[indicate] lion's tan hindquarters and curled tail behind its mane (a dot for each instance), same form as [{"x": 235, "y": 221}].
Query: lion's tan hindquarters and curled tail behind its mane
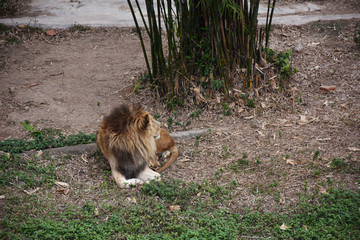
[{"x": 163, "y": 144}]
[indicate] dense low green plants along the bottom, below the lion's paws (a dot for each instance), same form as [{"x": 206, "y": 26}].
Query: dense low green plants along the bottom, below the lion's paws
[{"x": 335, "y": 216}]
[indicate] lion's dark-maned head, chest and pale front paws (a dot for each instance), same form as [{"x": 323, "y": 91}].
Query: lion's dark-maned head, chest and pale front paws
[{"x": 127, "y": 138}]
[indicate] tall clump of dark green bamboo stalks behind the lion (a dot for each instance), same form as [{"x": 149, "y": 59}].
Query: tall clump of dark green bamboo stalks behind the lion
[{"x": 206, "y": 40}]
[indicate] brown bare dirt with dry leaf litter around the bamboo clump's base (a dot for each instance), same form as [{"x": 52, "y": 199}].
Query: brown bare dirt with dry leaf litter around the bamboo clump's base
[{"x": 69, "y": 81}]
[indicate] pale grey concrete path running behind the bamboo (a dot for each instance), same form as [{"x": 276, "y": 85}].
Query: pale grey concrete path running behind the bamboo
[{"x": 99, "y": 13}]
